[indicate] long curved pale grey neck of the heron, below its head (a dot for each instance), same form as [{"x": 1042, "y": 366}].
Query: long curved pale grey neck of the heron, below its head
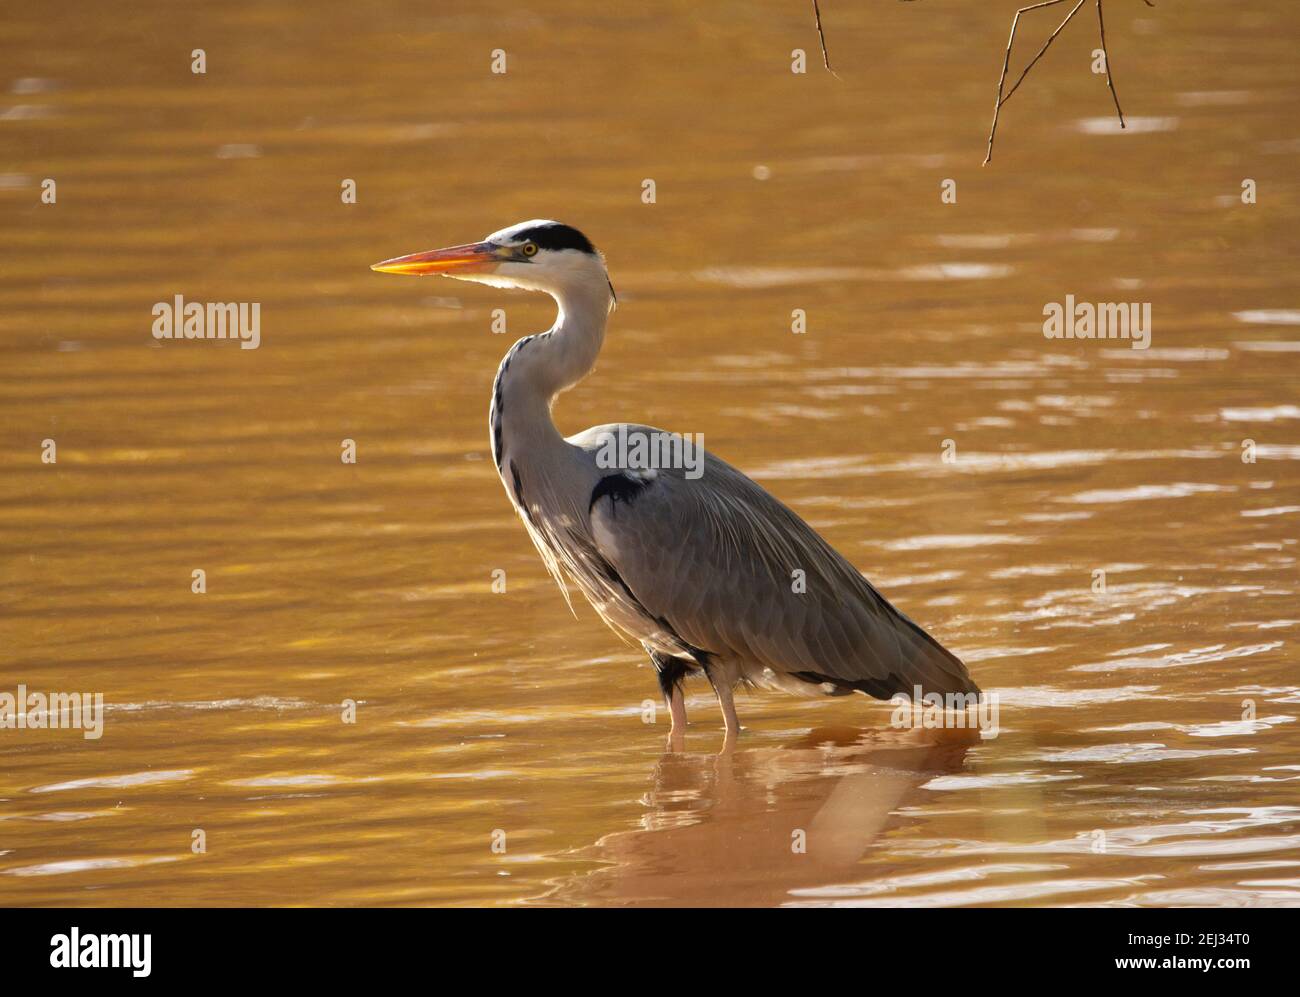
[{"x": 539, "y": 369}]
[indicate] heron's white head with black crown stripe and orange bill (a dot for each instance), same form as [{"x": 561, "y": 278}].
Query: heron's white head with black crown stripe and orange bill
[{"x": 536, "y": 255}]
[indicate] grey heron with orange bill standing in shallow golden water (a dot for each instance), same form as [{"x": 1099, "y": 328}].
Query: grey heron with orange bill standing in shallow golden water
[{"x": 696, "y": 569}]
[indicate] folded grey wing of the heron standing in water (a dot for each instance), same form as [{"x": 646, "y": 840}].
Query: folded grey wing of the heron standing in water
[{"x": 716, "y": 560}]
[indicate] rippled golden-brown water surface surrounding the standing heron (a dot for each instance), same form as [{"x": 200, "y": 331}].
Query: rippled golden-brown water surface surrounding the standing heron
[{"x": 1107, "y": 552}]
